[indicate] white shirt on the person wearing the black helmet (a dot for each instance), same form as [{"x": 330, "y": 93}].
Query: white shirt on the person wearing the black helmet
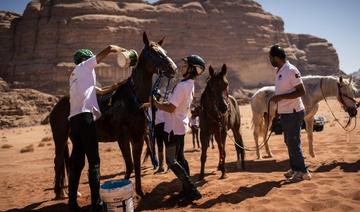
[{"x": 181, "y": 98}]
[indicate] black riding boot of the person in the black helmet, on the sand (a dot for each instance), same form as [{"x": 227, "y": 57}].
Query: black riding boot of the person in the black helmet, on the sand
[{"x": 190, "y": 191}]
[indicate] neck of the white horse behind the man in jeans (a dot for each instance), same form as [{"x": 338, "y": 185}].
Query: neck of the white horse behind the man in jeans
[{"x": 327, "y": 88}]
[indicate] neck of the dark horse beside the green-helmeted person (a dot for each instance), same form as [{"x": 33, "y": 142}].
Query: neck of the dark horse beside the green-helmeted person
[{"x": 142, "y": 82}]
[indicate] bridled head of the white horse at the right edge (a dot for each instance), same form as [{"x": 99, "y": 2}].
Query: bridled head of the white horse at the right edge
[{"x": 346, "y": 90}]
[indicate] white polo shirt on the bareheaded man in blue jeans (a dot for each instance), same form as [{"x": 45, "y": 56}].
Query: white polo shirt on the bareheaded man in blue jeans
[{"x": 287, "y": 78}]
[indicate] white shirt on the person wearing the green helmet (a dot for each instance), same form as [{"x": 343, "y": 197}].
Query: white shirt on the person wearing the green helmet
[{"x": 82, "y": 89}]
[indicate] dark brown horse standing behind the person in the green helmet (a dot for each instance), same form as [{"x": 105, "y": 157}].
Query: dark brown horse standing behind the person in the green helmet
[{"x": 122, "y": 119}]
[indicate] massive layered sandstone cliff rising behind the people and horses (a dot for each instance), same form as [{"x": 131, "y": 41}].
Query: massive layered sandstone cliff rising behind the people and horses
[{"x": 38, "y": 46}]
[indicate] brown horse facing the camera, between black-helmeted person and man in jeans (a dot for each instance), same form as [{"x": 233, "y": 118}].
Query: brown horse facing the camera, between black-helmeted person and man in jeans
[{"x": 219, "y": 113}]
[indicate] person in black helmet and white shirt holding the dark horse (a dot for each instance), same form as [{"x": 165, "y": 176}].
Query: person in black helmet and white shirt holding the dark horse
[{"x": 176, "y": 121}]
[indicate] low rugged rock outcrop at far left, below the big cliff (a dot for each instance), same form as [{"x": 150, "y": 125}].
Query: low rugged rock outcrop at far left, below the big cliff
[{"x": 23, "y": 107}]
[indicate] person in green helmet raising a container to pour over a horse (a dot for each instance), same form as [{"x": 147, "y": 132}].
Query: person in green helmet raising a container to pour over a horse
[{"x": 84, "y": 110}]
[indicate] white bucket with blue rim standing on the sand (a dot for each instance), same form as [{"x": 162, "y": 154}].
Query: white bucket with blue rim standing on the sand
[{"x": 117, "y": 195}]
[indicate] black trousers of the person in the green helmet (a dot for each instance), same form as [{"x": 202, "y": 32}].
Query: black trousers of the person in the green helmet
[{"x": 83, "y": 136}]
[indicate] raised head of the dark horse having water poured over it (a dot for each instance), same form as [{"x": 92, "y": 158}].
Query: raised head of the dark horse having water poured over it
[{"x": 155, "y": 58}]
